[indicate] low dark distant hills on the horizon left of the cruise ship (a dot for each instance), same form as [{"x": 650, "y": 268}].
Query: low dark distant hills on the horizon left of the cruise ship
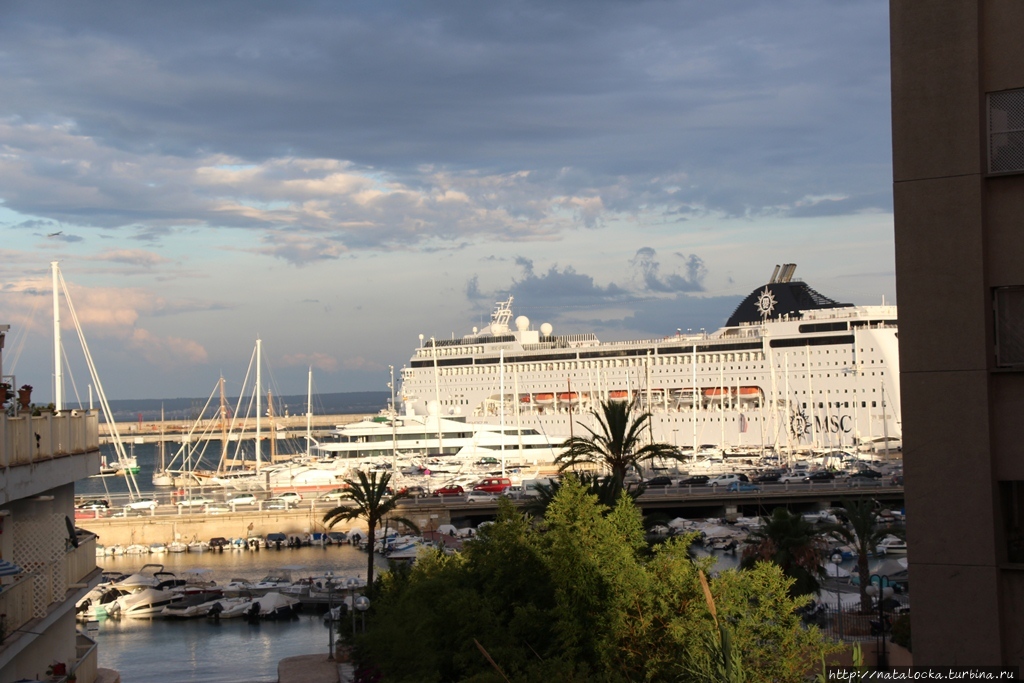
[{"x": 189, "y": 409}]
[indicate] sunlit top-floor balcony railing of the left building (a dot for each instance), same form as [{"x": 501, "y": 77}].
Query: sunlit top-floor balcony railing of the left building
[{"x": 27, "y": 440}]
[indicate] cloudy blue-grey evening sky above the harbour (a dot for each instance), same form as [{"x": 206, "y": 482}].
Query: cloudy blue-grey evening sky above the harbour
[{"x": 338, "y": 179}]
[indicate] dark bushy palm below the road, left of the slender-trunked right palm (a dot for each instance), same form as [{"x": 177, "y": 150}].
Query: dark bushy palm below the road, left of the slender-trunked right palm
[{"x": 794, "y": 544}]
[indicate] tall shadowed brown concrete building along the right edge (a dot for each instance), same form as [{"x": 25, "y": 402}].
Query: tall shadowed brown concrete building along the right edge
[{"x": 958, "y": 88}]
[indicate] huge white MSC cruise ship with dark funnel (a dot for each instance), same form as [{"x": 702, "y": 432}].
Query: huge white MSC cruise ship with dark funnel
[{"x": 792, "y": 371}]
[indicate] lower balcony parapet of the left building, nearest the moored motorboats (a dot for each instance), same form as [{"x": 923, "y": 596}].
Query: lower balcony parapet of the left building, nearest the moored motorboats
[{"x": 34, "y": 593}]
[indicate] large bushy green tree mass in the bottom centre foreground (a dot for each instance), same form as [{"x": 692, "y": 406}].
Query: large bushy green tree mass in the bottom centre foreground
[{"x": 580, "y": 597}]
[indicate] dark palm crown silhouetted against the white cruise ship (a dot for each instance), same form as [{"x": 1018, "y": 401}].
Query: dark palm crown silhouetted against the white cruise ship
[{"x": 617, "y": 445}]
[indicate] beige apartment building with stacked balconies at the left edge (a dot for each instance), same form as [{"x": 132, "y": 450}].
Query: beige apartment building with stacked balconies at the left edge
[{"x": 40, "y": 460}]
